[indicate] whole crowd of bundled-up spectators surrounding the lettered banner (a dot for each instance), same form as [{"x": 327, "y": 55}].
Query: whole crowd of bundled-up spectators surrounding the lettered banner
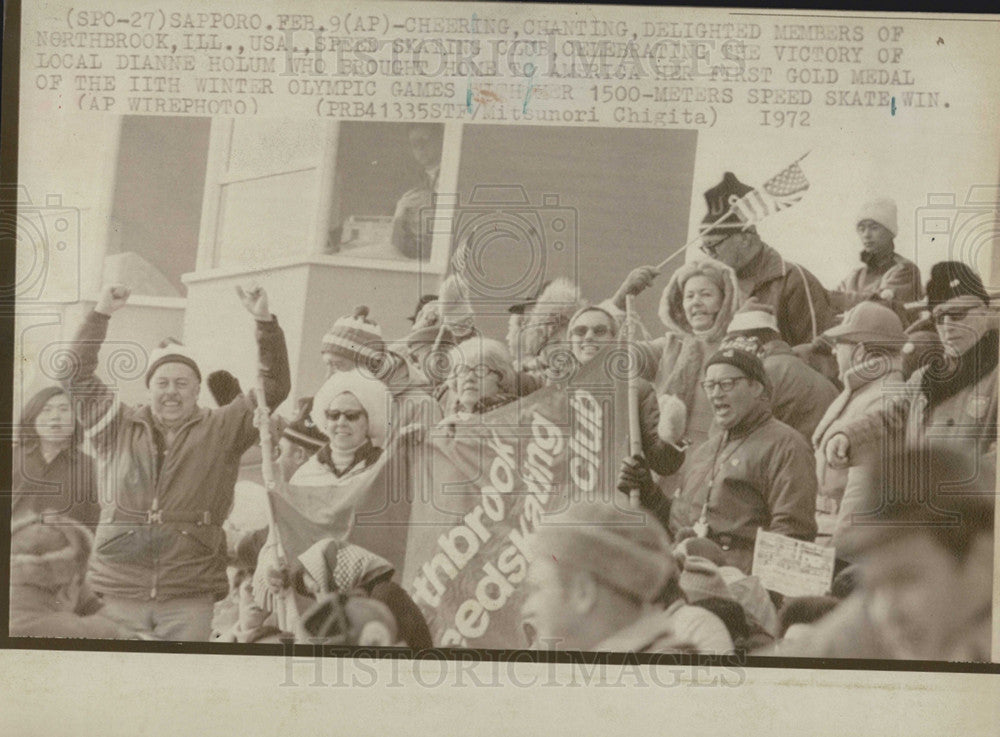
[{"x": 861, "y": 418}]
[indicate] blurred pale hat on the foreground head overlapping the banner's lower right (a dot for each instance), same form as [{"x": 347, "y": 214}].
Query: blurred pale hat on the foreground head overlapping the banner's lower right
[{"x": 632, "y": 556}]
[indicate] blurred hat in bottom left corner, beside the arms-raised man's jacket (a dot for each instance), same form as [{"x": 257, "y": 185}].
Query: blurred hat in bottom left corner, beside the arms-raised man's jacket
[{"x": 48, "y": 553}]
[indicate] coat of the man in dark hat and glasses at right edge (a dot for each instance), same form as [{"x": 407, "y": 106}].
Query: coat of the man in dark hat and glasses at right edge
[{"x": 958, "y": 411}]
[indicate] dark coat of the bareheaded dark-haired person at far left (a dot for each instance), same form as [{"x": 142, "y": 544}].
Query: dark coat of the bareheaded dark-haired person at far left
[{"x": 67, "y": 484}]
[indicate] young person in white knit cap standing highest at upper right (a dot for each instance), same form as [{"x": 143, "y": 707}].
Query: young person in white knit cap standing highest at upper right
[{"x": 883, "y": 272}]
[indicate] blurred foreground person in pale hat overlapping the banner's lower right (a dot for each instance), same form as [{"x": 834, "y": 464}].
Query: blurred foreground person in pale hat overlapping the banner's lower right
[{"x": 599, "y": 581}]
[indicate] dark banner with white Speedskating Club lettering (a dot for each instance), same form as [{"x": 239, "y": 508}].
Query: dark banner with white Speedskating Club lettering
[{"x": 482, "y": 487}]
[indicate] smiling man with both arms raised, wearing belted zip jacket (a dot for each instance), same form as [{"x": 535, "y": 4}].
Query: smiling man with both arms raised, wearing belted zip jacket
[{"x": 167, "y": 474}]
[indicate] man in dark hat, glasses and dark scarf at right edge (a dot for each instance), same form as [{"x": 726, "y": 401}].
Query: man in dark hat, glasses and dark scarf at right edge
[{"x": 952, "y": 405}]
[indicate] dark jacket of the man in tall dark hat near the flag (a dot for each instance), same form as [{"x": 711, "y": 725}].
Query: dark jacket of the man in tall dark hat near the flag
[{"x": 801, "y": 304}]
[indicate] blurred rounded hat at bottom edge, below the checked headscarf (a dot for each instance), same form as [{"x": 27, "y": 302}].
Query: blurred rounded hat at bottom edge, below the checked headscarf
[{"x": 338, "y": 619}]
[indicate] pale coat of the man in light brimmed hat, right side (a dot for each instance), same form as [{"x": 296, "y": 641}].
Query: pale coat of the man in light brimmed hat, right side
[{"x": 863, "y": 396}]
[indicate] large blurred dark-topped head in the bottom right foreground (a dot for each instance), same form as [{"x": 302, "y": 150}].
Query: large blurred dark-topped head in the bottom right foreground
[{"x": 924, "y": 541}]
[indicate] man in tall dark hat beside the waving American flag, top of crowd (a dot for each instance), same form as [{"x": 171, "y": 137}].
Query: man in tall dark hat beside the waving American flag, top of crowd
[{"x": 800, "y": 302}]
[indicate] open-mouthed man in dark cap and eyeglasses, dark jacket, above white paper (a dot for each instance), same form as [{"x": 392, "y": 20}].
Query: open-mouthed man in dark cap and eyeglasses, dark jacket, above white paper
[{"x": 752, "y": 472}]
